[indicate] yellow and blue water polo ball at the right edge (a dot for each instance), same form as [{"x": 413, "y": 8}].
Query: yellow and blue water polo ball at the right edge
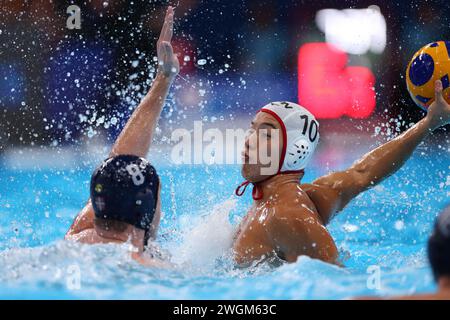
[{"x": 430, "y": 63}]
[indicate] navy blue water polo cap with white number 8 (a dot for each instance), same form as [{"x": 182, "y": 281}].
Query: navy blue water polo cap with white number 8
[{"x": 125, "y": 188}]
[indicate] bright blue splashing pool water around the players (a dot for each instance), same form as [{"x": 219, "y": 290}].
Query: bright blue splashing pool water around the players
[{"x": 382, "y": 232}]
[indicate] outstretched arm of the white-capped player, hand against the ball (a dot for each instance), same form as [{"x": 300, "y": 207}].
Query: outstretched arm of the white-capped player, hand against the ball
[{"x": 334, "y": 191}]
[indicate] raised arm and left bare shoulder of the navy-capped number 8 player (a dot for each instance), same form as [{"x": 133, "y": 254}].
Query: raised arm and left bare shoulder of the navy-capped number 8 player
[{"x": 137, "y": 134}]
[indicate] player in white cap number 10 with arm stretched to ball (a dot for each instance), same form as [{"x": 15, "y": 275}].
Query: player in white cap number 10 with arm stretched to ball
[{"x": 288, "y": 219}]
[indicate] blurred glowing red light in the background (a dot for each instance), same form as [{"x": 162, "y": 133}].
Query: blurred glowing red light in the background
[{"x": 329, "y": 88}]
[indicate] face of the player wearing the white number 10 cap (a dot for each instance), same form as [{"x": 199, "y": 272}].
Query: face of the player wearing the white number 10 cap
[{"x": 262, "y": 150}]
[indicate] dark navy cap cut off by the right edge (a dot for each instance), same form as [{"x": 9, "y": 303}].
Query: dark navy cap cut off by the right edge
[{"x": 439, "y": 245}]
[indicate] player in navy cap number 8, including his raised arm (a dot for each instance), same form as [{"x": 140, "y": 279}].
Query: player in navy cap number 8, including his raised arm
[{"x": 125, "y": 205}]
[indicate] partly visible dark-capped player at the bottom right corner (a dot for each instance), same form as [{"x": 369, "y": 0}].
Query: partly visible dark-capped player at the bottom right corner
[{"x": 439, "y": 258}]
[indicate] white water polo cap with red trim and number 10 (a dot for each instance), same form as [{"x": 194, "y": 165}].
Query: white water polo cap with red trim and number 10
[{"x": 300, "y": 132}]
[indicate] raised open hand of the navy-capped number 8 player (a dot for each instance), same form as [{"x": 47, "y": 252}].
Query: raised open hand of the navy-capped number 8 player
[{"x": 168, "y": 64}]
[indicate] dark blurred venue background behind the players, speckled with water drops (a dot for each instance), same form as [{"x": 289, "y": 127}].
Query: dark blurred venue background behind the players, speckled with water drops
[{"x": 63, "y": 87}]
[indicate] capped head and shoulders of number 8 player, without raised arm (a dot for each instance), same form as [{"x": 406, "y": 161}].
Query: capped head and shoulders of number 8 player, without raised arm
[{"x": 125, "y": 201}]
